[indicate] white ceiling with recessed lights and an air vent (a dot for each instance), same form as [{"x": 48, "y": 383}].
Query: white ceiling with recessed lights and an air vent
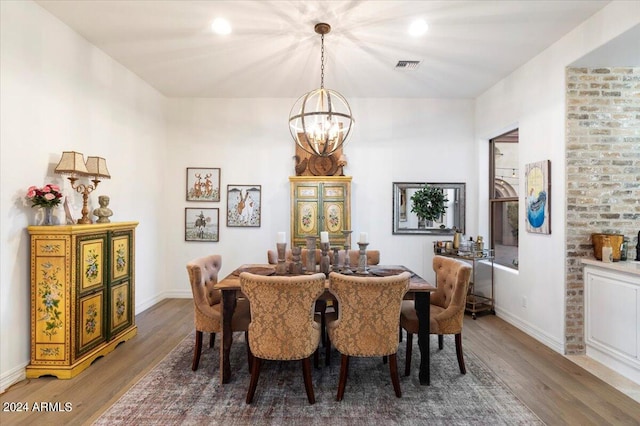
[{"x": 273, "y": 50}]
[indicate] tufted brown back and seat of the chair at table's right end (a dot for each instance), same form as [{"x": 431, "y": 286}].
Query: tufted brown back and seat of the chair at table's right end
[{"x": 452, "y": 283}]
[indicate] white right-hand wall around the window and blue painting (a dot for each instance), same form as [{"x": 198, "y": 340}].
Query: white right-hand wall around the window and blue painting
[{"x": 533, "y": 99}]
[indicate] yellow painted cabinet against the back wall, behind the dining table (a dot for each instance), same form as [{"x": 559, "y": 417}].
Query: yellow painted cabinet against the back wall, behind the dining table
[{"x": 320, "y": 204}]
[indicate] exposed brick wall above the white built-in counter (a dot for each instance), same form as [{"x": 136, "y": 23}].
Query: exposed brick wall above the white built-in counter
[{"x": 603, "y": 174}]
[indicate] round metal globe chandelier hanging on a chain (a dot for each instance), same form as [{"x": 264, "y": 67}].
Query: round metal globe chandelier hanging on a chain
[{"x": 320, "y": 121}]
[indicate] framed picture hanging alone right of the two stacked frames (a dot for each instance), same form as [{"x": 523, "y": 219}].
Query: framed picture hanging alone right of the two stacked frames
[{"x": 243, "y": 205}]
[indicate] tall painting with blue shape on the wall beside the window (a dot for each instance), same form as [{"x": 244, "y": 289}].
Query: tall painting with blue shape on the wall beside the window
[{"x": 538, "y": 200}]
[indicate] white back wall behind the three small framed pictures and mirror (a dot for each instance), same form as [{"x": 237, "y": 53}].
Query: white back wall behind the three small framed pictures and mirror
[{"x": 396, "y": 140}]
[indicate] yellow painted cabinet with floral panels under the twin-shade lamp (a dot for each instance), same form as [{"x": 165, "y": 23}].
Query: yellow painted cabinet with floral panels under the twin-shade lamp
[{"x": 82, "y": 295}]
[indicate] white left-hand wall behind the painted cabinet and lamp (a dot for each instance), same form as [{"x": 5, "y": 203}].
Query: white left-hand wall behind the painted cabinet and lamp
[{"x": 61, "y": 93}]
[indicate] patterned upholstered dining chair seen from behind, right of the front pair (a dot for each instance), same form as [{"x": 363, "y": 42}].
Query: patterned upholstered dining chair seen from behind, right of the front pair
[{"x": 368, "y": 318}]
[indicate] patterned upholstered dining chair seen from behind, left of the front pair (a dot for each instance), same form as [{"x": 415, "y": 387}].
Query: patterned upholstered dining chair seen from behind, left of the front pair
[{"x": 282, "y": 322}]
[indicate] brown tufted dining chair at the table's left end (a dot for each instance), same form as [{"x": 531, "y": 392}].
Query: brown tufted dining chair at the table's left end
[{"x": 207, "y": 307}]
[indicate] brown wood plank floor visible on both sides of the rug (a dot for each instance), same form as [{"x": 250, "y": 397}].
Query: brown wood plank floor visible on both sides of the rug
[{"x": 556, "y": 389}]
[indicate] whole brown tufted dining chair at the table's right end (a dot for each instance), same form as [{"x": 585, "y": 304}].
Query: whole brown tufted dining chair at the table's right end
[{"x": 447, "y": 307}]
